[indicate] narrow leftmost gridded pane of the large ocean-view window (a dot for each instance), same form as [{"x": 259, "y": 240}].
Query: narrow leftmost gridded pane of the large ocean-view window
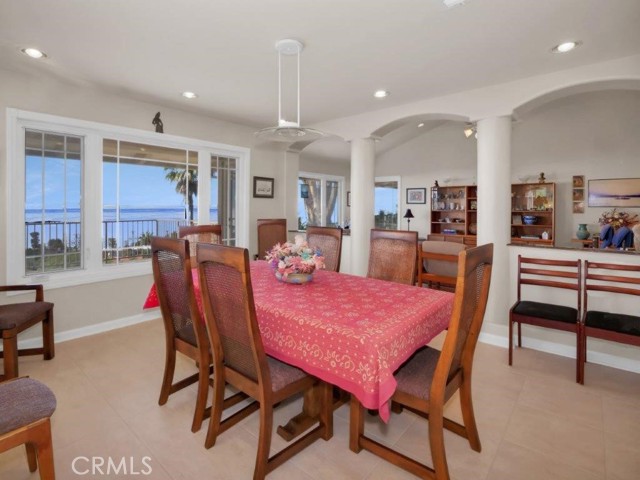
[{"x": 53, "y": 213}]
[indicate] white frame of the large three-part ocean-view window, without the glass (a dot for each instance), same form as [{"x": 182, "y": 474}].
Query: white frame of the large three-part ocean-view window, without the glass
[{"x": 93, "y": 134}]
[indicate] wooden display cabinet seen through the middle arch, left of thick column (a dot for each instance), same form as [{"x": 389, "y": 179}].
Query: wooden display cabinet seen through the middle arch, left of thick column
[{"x": 454, "y": 213}]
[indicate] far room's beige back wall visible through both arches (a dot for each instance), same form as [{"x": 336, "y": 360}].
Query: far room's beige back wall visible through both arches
[{"x": 591, "y": 134}]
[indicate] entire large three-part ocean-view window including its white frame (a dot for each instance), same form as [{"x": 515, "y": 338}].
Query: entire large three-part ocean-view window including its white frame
[{"x": 86, "y": 198}]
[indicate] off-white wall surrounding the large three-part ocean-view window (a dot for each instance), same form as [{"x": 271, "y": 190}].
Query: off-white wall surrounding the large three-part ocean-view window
[{"x": 100, "y": 302}]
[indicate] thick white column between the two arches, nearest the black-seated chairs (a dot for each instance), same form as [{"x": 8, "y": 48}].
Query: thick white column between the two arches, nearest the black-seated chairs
[{"x": 494, "y": 208}]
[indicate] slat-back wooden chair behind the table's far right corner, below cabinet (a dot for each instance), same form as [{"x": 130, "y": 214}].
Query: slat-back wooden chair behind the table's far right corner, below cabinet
[{"x": 438, "y": 264}]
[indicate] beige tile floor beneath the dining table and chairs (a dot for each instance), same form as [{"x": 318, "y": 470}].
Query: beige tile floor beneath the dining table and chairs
[{"x": 535, "y": 422}]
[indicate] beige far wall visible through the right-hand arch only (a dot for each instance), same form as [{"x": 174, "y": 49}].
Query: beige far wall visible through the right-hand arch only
[{"x": 592, "y": 134}]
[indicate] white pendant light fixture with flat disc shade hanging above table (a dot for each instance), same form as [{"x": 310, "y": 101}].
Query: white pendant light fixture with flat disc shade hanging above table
[{"x": 289, "y": 131}]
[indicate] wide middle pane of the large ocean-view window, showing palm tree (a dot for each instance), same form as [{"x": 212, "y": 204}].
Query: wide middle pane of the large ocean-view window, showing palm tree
[{"x": 147, "y": 191}]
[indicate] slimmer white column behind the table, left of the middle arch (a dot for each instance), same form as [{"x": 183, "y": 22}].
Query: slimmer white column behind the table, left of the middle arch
[{"x": 363, "y": 155}]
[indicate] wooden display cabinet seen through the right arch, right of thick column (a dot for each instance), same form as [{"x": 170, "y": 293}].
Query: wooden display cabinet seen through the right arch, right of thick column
[{"x": 533, "y": 201}]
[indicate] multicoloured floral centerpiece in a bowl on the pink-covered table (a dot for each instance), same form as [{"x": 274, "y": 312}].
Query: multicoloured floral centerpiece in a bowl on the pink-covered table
[{"x": 295, "y": 262}]
